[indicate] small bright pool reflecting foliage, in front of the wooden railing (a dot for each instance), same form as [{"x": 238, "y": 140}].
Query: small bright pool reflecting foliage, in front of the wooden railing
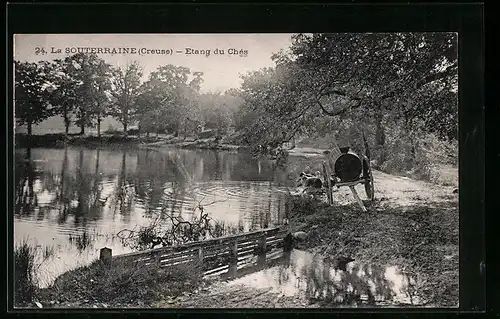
[{"x": 314, "y": 279}]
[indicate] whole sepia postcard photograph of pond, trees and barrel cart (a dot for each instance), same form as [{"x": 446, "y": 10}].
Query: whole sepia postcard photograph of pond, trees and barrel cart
[{"x": 236, "y": 170}]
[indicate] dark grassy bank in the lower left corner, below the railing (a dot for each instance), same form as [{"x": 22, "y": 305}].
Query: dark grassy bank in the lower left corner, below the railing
[{"x": 99, "y": 285}]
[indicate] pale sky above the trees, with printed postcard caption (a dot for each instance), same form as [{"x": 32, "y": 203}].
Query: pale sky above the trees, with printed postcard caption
[{"x": 221, "y": 72}]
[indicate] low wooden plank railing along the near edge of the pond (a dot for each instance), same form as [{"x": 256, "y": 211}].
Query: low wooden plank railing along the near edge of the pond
[{"x": 229, "y": 251}]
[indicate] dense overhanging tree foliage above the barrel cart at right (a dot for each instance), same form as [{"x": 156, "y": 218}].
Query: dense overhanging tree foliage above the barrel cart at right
[{"x": 399, "y": 89}]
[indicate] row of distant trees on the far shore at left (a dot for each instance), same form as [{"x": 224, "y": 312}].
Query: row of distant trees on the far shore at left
[{"x": 83, "y": 89}]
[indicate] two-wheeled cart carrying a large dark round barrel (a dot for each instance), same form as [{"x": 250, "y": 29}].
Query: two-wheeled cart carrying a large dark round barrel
[{"x": 349, "y": 169}]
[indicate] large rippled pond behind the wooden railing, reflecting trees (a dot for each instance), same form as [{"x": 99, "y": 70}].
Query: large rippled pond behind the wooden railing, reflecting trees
[{"x": 63, "y": 193}]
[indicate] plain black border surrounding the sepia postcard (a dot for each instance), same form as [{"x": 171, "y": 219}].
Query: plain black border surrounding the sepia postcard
[{"x": 467, "y": 19}]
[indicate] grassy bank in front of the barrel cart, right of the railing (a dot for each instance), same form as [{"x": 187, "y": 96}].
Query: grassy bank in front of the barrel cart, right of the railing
[{"x": 422, "y": 240}]
